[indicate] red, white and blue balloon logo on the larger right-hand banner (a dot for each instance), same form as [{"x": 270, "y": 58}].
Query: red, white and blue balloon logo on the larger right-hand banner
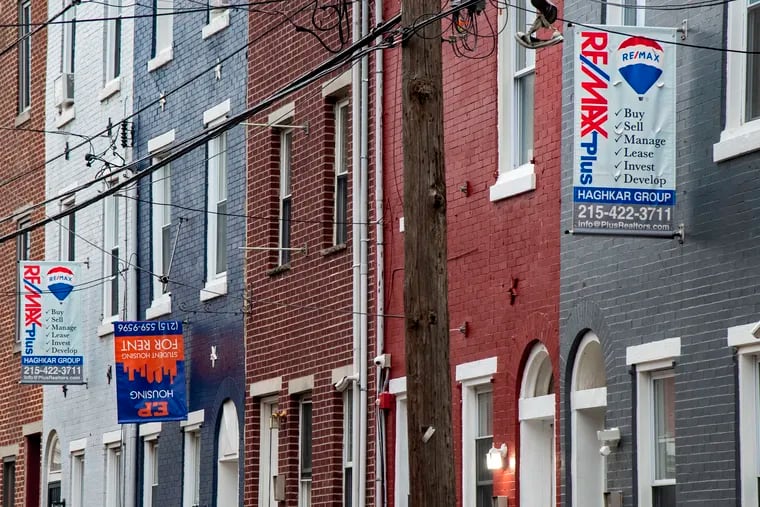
[{"x": 640, "y": 63}]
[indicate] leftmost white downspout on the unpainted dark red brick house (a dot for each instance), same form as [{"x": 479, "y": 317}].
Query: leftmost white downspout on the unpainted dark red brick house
[{"x": 358, "y": 364}]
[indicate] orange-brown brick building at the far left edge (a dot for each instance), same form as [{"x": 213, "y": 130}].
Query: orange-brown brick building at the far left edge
[{"x": 22, "y": 182}]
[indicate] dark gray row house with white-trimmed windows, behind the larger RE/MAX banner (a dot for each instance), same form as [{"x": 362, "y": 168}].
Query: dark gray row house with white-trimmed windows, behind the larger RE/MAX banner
[{"x": 657, "y": 338}]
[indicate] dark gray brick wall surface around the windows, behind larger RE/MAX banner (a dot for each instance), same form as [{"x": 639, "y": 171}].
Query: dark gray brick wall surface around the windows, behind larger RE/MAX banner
[{"x": 636, "y": 290}]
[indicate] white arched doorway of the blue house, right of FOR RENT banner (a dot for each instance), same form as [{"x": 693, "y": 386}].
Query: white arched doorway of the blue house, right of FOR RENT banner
[{"x": 228, "y": 460}]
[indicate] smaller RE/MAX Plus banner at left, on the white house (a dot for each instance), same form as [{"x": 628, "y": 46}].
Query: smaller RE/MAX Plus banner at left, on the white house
[{"x": 50, "y": 323}]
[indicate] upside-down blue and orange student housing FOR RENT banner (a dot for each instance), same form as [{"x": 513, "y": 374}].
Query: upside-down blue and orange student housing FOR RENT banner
[{"x": 150, "y": 371}]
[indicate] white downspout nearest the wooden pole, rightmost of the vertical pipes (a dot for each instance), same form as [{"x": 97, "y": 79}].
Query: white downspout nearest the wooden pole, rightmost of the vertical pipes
[{"x": 380, "y": 451}]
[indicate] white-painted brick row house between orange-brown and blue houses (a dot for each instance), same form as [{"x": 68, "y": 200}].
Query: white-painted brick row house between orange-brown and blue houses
[{"x": 87, "y": 456}]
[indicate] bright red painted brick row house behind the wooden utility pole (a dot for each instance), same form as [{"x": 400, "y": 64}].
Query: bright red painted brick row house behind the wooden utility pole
[{"x": 503, "y": 248}]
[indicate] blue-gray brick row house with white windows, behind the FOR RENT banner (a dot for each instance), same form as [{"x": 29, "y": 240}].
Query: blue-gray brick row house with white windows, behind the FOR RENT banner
[{"x": 189, "y": 76}]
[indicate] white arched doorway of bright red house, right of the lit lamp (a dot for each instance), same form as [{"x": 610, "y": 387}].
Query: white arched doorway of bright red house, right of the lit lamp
[{"x": 537, "y": 411}]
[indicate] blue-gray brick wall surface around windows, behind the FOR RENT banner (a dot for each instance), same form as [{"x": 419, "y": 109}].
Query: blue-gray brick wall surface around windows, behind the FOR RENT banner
[{"x": 219, "y": 321}]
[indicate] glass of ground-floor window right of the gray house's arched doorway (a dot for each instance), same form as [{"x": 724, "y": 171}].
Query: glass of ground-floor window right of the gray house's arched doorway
[{"x": 664, "y": 428}]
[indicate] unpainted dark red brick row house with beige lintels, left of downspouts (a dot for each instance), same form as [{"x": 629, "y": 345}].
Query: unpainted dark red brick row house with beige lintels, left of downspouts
[{"x": 309, "y": 420}]
